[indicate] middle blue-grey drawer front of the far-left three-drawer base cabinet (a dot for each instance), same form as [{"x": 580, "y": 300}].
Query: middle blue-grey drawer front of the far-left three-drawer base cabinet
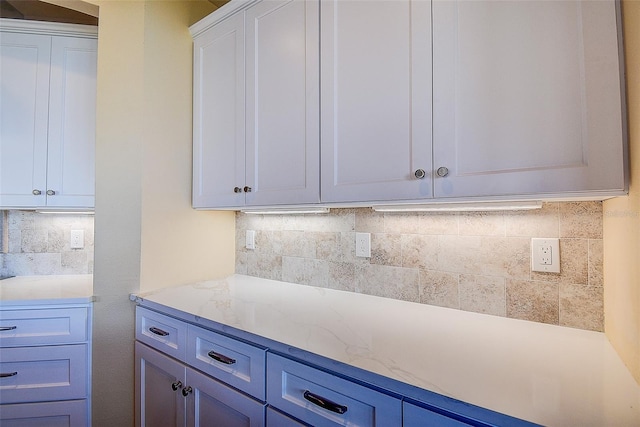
[{"x": 36, "y": 374}]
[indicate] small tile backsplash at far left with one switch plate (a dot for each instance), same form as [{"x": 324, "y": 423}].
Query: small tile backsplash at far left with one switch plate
[{"x": 38, "y": 244}]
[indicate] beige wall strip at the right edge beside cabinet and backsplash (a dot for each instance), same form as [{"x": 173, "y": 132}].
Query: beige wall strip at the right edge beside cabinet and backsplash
[{"x": 622, "y": 220}]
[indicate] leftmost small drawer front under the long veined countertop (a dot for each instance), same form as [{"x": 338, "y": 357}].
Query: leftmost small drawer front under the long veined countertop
[{"x": 161, "y": 332}]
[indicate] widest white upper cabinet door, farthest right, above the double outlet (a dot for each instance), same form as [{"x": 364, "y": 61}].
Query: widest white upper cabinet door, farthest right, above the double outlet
[{"x": 527, "y": 97}]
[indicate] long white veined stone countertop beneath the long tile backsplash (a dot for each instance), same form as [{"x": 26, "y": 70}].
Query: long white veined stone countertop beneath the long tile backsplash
[{"x": 547, "y": 374}]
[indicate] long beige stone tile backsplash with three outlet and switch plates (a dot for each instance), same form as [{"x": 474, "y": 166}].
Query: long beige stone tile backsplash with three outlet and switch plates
[{"x": 469, "y": 261}]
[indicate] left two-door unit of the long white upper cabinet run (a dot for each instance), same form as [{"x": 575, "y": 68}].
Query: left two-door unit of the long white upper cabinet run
[{"x": 258, "y": 147}]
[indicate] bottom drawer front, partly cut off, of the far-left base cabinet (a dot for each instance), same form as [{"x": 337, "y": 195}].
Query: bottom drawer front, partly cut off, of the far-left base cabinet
[{"x": 72, "y": 413}]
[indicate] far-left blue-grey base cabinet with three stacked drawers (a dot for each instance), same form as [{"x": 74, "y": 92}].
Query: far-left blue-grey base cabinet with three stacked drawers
[{"x": 45, "y": 366}]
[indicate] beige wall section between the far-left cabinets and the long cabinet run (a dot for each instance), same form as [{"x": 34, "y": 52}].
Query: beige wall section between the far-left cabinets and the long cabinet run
[{"x": 146, "y": 234}]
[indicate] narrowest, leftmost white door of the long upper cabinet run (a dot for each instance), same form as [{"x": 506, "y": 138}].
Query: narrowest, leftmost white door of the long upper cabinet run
[{"x": 218, "y": 115}]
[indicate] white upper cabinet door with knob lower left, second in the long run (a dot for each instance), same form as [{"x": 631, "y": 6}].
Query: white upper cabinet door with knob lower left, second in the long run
[{"x": 283, "y": 153}]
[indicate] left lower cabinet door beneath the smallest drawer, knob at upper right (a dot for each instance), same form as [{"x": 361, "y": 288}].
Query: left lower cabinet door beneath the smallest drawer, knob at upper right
[{"x": 156, "y": 401}]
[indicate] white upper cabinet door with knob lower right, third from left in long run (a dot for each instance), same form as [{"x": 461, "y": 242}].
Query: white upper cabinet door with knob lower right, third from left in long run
[{"x": 376, "y": 100}]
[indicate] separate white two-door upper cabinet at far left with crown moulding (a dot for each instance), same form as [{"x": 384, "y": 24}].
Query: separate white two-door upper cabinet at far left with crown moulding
[{"x": 47, "y": 113}]
